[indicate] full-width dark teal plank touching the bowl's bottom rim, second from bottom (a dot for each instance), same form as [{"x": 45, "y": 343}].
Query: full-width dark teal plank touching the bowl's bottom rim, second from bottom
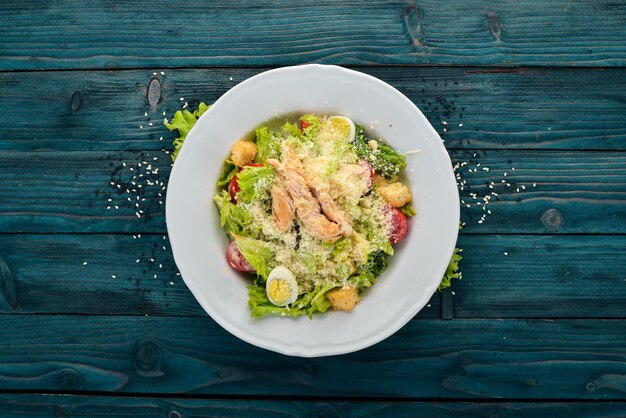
[{"x": 564, "y": 359}]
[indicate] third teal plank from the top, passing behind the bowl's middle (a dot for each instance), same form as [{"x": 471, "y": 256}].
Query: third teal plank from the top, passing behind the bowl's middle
[{"x": 70, "y": 191}]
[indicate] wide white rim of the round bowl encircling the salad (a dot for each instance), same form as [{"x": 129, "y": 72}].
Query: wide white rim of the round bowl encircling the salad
[{"x": 199, "y": 244}]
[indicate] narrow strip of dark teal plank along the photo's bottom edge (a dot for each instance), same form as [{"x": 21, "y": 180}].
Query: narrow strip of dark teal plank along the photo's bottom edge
[{"x": 35, "y": 405}]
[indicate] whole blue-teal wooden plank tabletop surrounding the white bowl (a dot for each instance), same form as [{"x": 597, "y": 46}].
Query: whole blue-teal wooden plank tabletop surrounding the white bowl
[{"x": 530, "y": 98}]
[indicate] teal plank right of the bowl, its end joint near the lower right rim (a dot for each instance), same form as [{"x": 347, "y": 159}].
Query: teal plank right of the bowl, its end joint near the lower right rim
[{"x": 541, "y": 276}]
